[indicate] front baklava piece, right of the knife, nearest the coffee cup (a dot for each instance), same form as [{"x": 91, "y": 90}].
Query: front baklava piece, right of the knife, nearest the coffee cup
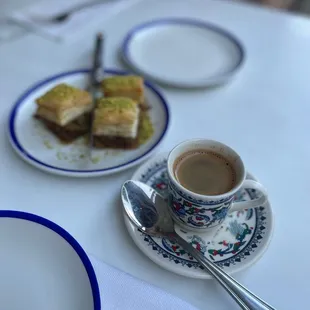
[{"x": 116, "y": 122}]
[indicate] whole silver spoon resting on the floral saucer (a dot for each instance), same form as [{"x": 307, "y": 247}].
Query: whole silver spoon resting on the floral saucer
[{"x": 148, "y": 211}]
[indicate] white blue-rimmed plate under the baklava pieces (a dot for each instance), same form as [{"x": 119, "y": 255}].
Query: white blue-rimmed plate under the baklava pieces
[{"x": 42, "y": 149}]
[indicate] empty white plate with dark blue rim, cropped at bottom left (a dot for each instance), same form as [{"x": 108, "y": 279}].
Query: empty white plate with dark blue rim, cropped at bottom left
[{"x": 43, "y": 267}]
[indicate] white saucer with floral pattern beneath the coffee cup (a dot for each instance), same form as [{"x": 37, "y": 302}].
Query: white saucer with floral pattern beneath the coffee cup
[{"x": 238, "y": 243}]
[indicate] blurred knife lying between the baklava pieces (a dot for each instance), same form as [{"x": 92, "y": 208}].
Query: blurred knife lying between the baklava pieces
[{"x": 96, "y": 76}]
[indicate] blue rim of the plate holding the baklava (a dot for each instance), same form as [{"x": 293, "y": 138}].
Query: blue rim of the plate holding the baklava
[{"x": 28, "y": 92}]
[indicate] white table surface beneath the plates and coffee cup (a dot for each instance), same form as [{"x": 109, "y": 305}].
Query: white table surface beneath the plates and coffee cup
[{"x": 263, "y": 113}]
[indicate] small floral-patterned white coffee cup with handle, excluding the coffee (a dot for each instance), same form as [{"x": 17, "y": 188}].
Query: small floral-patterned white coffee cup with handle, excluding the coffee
[{"x": 198, "y": 212}]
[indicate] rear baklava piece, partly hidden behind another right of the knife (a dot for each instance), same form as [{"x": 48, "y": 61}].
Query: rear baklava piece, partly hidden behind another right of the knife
[{"x": 130, "y": 86}]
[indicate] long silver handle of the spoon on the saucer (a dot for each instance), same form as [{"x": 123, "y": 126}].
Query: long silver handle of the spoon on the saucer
[{"x": 245, "y": 299}]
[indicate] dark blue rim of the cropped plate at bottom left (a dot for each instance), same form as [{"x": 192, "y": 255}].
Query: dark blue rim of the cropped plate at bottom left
[{"x": 74, "y": 244}]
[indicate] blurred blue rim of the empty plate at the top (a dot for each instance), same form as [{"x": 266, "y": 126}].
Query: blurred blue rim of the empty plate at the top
[{"x": 181, "y": 21}]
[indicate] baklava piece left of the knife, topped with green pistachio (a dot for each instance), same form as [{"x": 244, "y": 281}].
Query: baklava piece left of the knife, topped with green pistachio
[{"x": 65, "y": 111}]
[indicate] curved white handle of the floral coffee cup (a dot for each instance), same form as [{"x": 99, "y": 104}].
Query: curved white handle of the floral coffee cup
[{"x": 241, "y": 205}]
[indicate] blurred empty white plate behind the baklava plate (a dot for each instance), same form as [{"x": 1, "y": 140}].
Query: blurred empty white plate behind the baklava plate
[{"x": 183, "y": 52}]
